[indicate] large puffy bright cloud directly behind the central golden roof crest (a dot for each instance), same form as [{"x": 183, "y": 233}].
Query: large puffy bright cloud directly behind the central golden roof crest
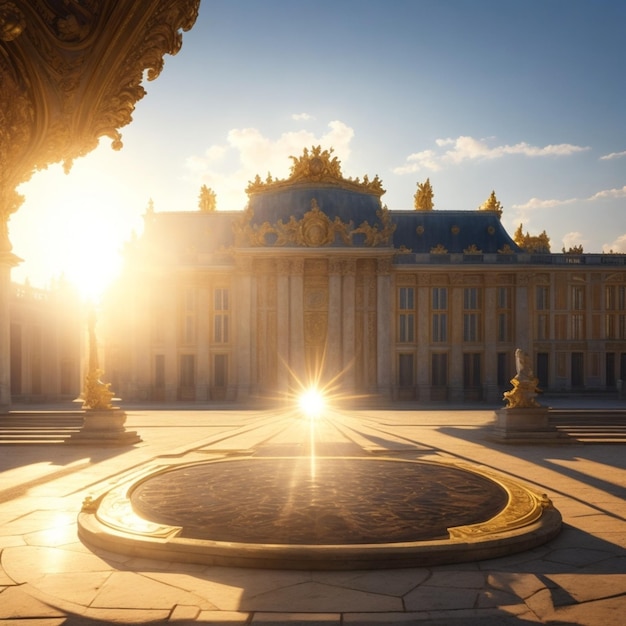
[{"x": 228, "y": 168}]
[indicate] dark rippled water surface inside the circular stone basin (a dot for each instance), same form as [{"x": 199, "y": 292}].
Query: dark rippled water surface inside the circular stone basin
[{"x": 322, "y": 501}]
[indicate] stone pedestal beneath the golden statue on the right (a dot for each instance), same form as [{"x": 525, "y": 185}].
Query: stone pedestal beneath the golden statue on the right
[{"x": 525, "y": 425}]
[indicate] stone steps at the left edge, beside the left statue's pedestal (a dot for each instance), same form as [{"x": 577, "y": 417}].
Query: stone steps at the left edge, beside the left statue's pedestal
[{"x": 46, "y": 427}]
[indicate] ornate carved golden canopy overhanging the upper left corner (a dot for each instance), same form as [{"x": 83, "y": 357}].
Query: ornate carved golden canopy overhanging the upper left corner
[{"x": 70, "y": 73}]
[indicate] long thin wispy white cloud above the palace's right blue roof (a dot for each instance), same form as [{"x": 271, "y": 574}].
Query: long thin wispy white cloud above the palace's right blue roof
[{"x": 465, "y": 148}]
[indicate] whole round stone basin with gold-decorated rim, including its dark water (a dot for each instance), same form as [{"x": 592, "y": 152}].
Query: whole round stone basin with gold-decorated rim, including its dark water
[{"x": 324, "y": 513}]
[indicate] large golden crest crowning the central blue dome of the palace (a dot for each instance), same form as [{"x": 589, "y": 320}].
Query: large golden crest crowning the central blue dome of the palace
[{"x": 316, "y": 166}]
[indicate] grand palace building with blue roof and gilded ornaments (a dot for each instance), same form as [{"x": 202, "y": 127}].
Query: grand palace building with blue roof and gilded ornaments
[{"x": 317, "y": 282}]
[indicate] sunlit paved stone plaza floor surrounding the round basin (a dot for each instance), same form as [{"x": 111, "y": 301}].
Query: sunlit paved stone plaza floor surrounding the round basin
[{"x": 49, "y": 577}]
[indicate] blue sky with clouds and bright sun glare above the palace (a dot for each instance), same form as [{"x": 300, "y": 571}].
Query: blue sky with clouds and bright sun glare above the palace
[{"x": 526, "y": 98}]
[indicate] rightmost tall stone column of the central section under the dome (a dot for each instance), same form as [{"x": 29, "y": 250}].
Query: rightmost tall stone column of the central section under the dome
[{"x": 384, "y": 305}]
